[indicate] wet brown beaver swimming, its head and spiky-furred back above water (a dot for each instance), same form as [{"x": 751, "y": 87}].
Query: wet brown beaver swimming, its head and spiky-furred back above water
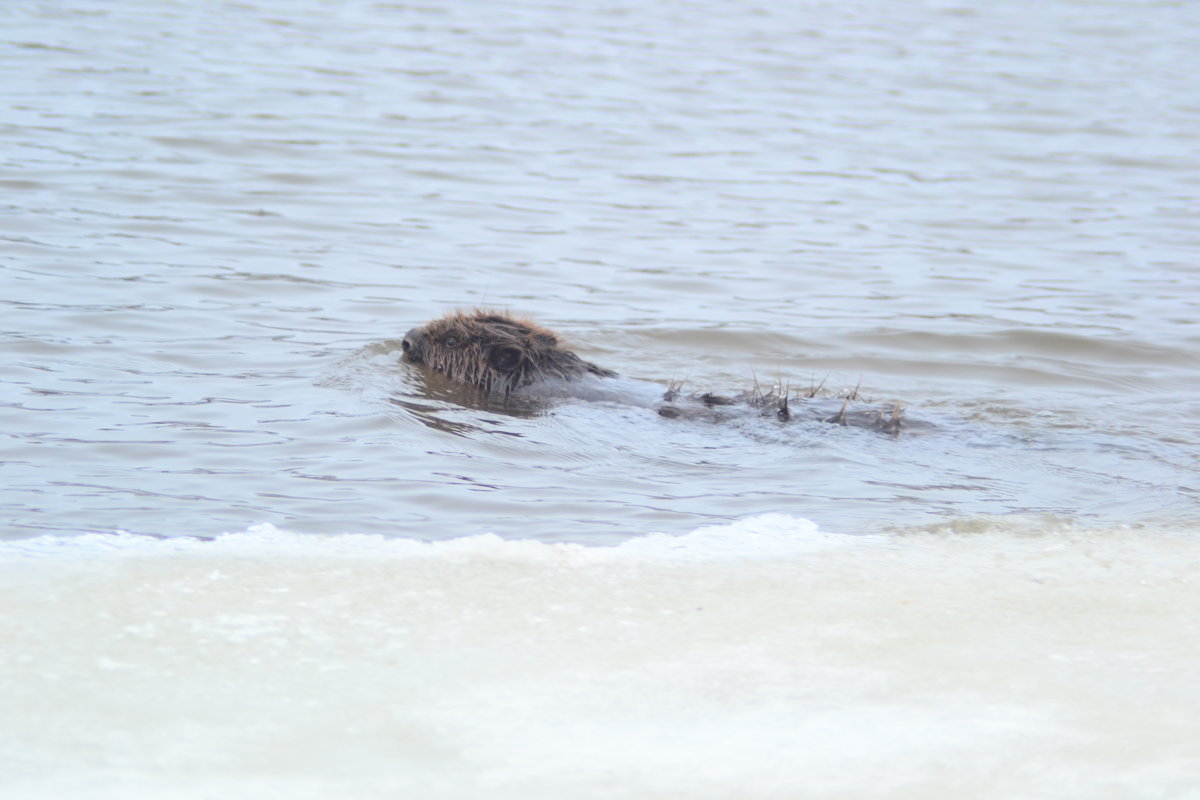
[{"x": 500, "y": 354}]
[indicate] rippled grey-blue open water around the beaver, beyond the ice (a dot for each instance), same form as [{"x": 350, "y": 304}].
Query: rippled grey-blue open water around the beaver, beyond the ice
[{"x": 220, "y": 220}]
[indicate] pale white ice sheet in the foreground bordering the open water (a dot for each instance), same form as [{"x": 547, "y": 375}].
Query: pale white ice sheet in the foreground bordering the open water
[{"x": 764, "y": 658}]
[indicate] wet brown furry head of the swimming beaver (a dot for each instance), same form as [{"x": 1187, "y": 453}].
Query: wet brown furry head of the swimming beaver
[{"x": 494, "y": 352}]
